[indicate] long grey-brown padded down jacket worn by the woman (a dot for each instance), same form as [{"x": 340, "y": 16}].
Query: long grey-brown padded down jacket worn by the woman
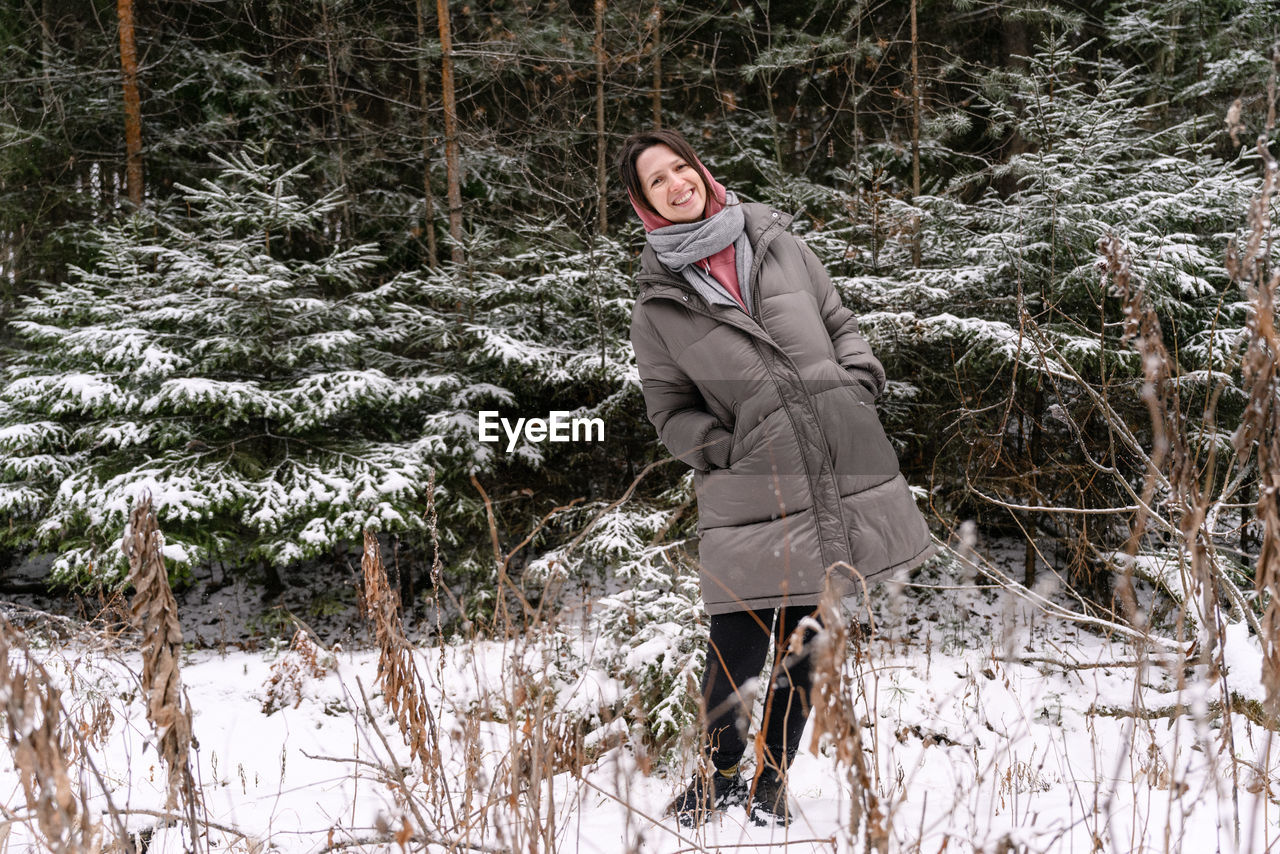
[{"x": 796, "y": 479}]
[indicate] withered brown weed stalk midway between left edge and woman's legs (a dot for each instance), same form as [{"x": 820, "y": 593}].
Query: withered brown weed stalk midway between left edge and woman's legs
[{"x": 397, "y": 673}]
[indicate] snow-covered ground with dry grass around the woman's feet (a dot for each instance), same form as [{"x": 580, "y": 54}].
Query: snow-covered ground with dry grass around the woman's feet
[{"x": 986, "y": 724}]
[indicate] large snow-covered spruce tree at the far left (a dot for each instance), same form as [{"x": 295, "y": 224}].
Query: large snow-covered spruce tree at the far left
[{"x": 223, "y": 358}]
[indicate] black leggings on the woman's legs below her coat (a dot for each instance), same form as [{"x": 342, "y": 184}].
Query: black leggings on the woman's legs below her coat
[{"x": 739, "y": 643}]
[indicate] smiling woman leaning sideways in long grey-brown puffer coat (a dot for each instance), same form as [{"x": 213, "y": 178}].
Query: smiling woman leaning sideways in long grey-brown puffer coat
[{"x": 756, "y": 376}]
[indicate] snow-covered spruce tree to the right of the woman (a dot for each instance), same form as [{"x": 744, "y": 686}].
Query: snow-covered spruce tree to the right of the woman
[{"x": 1008, "y": 336}]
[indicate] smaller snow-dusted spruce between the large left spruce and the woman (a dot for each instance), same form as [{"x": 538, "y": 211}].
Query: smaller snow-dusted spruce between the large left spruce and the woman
[{"x": 536, "y": 330}]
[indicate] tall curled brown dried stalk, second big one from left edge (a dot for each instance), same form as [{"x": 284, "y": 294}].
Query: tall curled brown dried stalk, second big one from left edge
[{"x": 156, "y": 614}]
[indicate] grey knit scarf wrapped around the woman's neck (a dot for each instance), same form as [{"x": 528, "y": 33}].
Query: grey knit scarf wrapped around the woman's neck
[{"x": 683, "y": 245}]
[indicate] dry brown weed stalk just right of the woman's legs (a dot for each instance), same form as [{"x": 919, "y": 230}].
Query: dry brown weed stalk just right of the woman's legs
[{"x": 835, "y": 723}]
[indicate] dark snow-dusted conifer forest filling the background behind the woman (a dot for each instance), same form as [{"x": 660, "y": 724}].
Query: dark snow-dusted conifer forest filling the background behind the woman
[{"x": 268, "y": 261}]
